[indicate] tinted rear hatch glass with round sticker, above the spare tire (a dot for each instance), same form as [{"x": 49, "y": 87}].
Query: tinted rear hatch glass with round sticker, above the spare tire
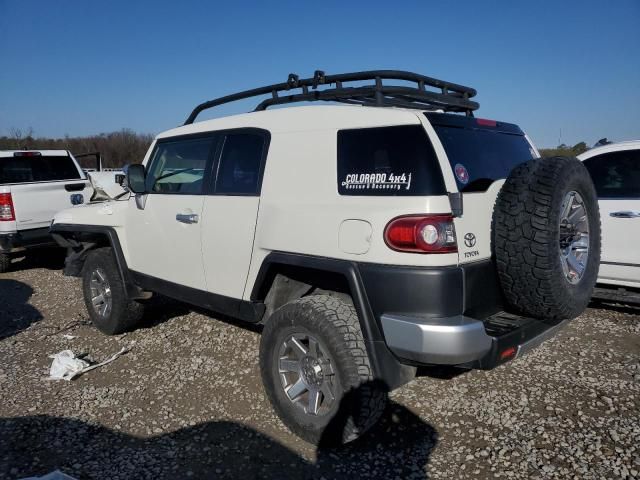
[{"x": 480, "y": 152}]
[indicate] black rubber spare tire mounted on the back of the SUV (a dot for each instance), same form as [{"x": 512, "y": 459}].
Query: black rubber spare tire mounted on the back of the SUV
[{"x": 527, "y": 237}]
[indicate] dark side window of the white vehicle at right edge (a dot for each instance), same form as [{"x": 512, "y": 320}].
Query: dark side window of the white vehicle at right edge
[{"x": 616, "y": 174}]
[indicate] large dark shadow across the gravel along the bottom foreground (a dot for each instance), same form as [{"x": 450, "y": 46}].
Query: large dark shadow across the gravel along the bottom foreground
[{"x": 398, "y": 447}]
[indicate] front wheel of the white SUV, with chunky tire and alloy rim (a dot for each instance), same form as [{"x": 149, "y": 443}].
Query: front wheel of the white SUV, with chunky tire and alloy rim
[{"x": 109, "y": 308}]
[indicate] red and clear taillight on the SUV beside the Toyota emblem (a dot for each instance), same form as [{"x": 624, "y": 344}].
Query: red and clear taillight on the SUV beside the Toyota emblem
[{"x": 422, "y": 234}]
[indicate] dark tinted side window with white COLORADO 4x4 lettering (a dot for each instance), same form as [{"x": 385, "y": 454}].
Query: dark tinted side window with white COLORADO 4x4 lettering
[{"x": 388, "y": 161}]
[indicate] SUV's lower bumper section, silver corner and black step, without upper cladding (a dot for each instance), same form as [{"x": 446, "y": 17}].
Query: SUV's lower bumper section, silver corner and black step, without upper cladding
[{"x": 465, "y": 341}]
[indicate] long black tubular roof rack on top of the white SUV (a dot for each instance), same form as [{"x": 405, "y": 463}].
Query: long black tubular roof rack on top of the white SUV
[{"x": 449, "y": 97}]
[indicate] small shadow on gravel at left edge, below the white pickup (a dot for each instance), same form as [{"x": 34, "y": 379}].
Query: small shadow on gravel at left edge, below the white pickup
[{"x": 15, "y": 312}]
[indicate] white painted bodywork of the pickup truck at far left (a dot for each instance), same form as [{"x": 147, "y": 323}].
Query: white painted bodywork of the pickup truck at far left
[{"x": 36, "y": 203}]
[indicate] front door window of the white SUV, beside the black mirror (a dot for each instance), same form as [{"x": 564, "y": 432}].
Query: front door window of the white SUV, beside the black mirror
[{"x": 179, "y": 166}]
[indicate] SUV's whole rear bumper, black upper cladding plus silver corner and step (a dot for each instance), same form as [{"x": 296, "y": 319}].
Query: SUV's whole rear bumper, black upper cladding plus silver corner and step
[{"x": 448, "y": 315}]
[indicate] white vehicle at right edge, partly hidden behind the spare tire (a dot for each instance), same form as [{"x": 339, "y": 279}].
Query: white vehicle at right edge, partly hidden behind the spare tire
[{"x": 615, "y": 170}]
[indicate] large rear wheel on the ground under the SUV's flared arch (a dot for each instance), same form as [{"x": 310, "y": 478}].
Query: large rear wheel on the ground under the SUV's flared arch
[{"x": 317, "y": 373}]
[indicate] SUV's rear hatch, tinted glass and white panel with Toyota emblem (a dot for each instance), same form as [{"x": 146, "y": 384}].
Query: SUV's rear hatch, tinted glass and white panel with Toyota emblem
[{"x": 481, "y": 153}]
